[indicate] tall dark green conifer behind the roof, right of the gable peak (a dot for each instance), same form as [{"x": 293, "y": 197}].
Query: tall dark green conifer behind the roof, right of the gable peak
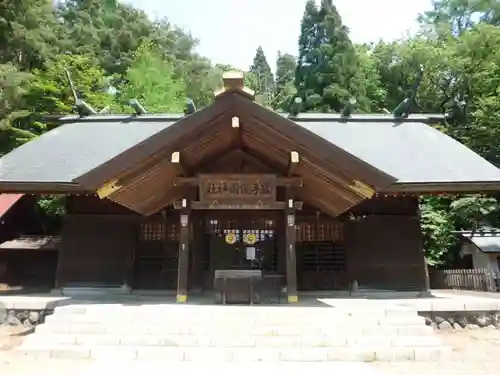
[{"x": 329, "y": 71}]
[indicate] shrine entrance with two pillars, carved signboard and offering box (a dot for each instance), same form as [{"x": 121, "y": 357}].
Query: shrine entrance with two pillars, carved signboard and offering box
[{"x": 245, "y": 233}]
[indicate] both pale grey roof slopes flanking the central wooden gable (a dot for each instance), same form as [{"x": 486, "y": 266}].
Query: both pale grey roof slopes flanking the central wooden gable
[{"x": 412, "y": 152}]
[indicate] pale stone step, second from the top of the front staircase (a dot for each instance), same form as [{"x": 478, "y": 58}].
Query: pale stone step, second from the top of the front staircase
[{"x": 236, "y": 320}]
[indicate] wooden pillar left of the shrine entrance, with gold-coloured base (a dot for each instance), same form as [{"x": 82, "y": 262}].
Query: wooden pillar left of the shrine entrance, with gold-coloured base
[{"x": 183, "y": 262}]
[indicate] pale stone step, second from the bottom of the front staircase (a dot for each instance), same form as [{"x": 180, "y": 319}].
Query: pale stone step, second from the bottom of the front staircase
[{"x": 305, "y": 341}]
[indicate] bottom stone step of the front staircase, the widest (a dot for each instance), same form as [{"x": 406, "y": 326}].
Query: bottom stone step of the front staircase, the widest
[{"x": 203, "y": 354}]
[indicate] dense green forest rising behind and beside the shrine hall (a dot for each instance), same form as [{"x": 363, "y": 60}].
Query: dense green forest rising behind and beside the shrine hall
[{"x": 114, "y": 53}]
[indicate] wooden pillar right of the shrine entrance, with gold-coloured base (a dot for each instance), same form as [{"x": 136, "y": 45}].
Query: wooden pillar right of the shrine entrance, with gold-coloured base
[{"x": 291, "y": 258}]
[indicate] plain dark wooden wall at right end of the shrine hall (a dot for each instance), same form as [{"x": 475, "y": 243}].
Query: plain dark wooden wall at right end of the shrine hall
[{"x": 384, "y": 246}]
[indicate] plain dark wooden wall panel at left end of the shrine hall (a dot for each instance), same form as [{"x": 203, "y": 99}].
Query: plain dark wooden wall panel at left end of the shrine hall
[{"x": 98, "y": 240}]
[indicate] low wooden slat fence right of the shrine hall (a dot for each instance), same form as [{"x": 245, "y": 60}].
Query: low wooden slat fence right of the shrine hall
[{"x": 465, "y": 279}]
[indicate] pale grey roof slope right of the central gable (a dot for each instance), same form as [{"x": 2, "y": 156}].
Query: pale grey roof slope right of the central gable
[{"x": 412, "y": 152}]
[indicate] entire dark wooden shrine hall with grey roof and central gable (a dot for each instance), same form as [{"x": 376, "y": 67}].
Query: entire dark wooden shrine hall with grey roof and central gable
[{"x": 243, "y": 202}]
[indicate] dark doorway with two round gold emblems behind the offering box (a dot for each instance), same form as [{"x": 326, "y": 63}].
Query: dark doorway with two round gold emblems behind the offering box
[{"x": 240, "y": 240}]
